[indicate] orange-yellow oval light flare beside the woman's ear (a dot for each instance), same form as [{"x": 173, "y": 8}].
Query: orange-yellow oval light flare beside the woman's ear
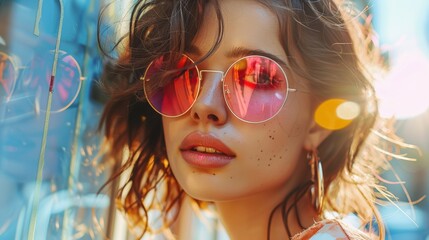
[{"x": 335, "y": 114}]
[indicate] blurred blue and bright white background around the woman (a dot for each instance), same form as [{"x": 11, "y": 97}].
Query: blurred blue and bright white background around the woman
[{"x": 51, "y": 168}]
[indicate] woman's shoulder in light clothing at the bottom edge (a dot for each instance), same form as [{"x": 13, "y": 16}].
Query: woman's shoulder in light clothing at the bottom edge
[{"x": 332, "y": 229}]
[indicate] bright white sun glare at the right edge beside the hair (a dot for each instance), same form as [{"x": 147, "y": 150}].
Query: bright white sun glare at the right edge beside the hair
[{"x": 404, "y": 93}]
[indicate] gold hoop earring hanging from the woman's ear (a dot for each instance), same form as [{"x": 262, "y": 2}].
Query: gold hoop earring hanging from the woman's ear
[{"x": 317, "y": 189}]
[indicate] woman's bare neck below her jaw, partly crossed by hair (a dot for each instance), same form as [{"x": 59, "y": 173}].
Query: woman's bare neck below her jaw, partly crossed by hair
[{"x": 248, "y": 218}]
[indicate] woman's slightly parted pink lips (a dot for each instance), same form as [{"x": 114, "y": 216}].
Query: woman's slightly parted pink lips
[{"x": 205, "y": 151}]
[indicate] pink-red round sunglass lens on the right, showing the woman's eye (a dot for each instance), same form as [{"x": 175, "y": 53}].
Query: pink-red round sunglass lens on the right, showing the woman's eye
[{"x": 255, "y": 89}]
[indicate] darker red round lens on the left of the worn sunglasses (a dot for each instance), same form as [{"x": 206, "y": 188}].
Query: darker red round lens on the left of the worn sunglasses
[{"x": 171, "y": 84}]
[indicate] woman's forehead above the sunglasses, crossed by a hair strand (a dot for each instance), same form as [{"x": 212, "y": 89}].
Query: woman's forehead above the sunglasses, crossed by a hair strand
[{"x": 247, "y": 24}]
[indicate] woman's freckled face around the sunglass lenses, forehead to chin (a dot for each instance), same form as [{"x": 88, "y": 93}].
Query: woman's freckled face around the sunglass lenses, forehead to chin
[{"x": 214, "y": 155}]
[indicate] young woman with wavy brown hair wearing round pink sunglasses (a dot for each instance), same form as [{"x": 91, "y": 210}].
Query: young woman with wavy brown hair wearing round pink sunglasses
[{"x": 239, "y": 103}]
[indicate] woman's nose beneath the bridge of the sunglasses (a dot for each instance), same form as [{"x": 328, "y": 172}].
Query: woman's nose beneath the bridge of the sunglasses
[{"x": 210, "y": 106}]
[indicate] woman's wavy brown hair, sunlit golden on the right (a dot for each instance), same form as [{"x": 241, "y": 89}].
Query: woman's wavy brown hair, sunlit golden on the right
[{"x": 327, "y": 43}]
